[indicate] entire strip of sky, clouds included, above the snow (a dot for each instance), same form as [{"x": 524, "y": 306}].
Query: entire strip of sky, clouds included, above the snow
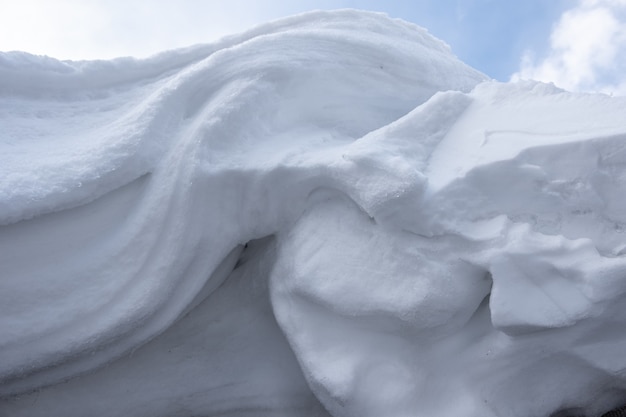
[{"x": 502, "y": 38}]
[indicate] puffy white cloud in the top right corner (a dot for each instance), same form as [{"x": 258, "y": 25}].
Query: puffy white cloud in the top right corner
[{"x": 587, "y": 50}]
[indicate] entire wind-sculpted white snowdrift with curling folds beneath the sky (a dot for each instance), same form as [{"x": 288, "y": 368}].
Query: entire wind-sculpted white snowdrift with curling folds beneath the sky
[{"x": 422, "y": 241}]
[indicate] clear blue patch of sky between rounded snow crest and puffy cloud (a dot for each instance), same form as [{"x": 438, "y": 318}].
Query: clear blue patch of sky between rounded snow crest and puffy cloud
[{"x": 490, "y": 35}]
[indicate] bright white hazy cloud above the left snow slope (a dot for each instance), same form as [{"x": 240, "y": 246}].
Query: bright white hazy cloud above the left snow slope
[{"x": 89, "y": 29}]
